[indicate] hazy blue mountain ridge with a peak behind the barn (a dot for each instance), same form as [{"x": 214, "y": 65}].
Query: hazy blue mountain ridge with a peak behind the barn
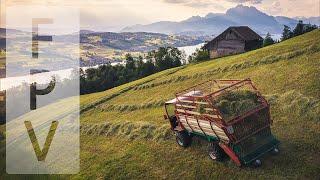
[{"x": 215, "y": 23}]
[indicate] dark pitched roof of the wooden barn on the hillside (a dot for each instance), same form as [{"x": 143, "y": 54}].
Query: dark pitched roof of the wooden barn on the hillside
[{"x": 244, "y": 32}]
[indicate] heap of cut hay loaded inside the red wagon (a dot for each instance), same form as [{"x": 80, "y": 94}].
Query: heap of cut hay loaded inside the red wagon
[{"x": 235, "y": 103}]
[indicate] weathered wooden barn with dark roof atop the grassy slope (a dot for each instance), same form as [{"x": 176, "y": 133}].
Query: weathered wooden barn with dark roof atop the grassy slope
[{"x": 234, "y": 40}]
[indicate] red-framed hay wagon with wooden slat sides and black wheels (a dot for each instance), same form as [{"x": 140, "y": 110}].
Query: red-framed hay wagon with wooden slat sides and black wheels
[{"x": 244, "y": 137}]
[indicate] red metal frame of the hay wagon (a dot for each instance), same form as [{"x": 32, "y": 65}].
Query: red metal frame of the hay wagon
[{"x": 222, "y": 86}]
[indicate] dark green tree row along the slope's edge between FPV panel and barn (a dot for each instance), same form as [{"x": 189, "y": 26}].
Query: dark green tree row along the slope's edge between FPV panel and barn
[{"x": 107, "y": 76}]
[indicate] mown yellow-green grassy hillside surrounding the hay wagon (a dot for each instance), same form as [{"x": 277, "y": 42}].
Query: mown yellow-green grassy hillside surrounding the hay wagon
[{"x": 124, "y": 134}]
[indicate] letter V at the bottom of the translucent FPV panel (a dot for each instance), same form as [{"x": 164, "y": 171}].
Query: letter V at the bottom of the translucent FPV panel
[{"x": 41, "y": 154}]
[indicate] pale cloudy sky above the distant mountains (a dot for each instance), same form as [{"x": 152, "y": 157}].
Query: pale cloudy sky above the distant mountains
[{"x": 112, "y": 15}]
